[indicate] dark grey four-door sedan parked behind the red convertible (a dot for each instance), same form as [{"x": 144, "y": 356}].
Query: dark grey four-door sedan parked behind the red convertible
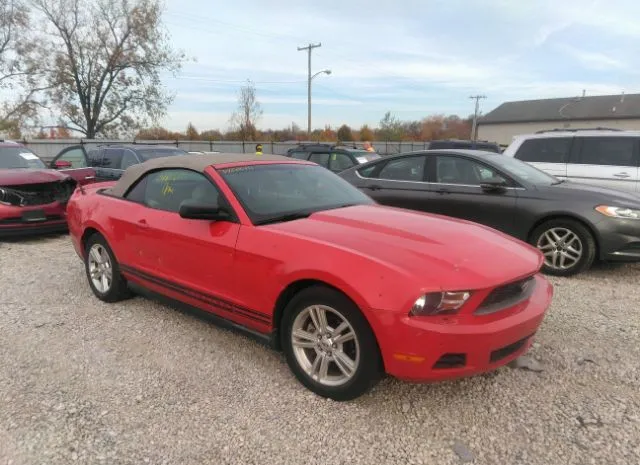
[{"x": 572, "y": 224}]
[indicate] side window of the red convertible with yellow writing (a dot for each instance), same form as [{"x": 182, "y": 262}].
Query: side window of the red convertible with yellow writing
[{"x": 167, "y": 189}]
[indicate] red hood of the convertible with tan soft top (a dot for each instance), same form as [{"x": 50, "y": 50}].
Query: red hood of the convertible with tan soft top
[{"x": 440, "y": 251}]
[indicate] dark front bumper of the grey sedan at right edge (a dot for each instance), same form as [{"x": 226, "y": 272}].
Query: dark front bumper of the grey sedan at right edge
[{"x": 619, "y": 240}]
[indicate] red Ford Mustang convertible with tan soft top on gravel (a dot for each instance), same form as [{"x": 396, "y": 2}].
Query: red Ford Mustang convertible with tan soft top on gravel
[{"x": 348, "y": 289}]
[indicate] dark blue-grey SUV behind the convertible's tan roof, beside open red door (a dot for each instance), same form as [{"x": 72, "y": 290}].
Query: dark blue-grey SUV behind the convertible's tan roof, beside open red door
[{"x": 110, "y": 161}]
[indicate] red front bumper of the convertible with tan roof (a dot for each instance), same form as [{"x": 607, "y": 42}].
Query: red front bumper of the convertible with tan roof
[{"x": 418, "y": 349}]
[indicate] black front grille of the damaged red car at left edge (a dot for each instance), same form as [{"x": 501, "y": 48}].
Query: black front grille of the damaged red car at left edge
[{"x": 38, "y": 194}]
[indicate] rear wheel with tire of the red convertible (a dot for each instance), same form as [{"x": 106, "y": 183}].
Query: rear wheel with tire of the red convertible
[{"x": 103, "y": 271}]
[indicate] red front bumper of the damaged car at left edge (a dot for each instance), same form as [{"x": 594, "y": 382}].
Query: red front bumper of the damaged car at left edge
[{"x": 13, "y": 224}]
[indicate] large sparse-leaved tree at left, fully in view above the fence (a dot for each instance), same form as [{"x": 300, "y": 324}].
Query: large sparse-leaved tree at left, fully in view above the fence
[{"x": 105, "y": 58}]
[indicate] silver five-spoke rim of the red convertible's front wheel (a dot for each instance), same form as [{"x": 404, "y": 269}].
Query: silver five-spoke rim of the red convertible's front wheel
[{"x": 325, "y": 345}]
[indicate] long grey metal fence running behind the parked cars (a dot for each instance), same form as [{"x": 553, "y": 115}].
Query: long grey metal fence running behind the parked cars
[{"x": 47, "y": 149}]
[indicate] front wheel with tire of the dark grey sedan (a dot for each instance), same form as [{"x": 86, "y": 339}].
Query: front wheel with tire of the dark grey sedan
[{"x": 568, "y": 246}]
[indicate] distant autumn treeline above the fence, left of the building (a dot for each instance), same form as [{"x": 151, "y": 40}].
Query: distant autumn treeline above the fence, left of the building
[{"x": 390, "y": 128}]
